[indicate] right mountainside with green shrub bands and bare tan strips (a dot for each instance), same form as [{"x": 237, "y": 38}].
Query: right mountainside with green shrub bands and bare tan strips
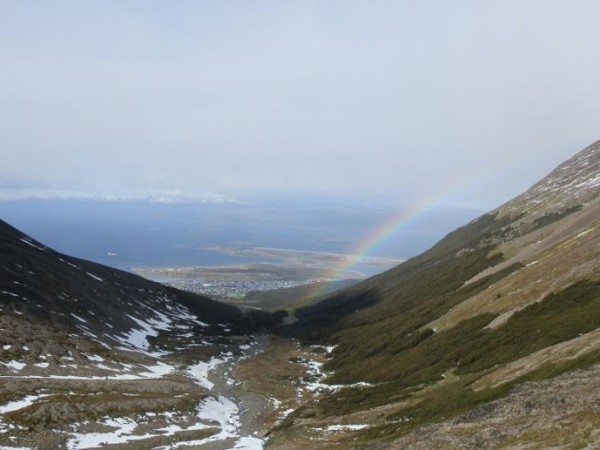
[{"x": 511, "y": 296}]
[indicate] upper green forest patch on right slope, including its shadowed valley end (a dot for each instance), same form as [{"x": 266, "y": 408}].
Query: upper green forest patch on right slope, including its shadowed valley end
[{"x": 377, "y": 321}]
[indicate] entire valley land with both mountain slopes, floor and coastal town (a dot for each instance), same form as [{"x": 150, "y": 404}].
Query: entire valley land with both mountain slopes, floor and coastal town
[{"x": 489, "y": 339}]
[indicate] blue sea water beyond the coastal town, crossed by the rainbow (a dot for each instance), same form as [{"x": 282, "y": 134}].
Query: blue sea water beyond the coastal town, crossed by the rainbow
[{"x": 129, "y": 234}]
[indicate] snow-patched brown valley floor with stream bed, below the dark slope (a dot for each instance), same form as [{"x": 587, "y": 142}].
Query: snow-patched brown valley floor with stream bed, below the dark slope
[{"x": 213, "y": 393}]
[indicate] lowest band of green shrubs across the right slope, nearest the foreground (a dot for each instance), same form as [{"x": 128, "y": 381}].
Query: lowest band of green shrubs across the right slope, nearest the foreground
[{"x": 434, "y": 371}]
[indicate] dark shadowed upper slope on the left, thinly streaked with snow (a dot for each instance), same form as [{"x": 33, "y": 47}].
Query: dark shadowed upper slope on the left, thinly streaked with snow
[{"x": 40, "y": 283}]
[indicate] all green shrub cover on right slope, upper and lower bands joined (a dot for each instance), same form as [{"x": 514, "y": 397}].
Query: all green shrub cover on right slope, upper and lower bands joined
[{"x": 378, "y": 325}]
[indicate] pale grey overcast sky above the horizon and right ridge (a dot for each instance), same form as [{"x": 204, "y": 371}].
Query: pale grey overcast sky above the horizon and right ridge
[{"x": 470, "y": 101}]
